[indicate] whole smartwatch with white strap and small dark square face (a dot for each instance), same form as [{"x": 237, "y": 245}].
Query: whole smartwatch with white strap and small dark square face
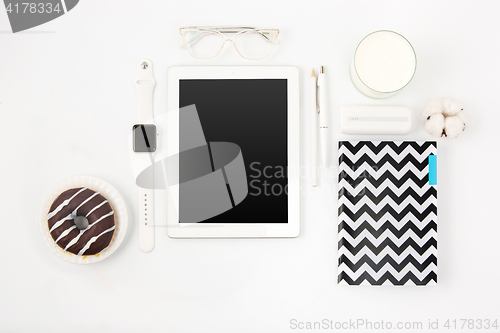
[{"x": 144, "y": 144}]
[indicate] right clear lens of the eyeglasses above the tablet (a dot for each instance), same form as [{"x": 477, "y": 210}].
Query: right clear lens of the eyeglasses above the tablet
[{"x": 254, "y": 44}]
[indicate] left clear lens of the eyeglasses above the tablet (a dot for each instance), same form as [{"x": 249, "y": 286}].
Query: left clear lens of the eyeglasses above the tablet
[{"x": 203, "y": 44}]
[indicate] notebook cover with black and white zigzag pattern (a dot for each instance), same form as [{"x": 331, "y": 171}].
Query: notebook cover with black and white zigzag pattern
[{"x": 387, "y": 228}]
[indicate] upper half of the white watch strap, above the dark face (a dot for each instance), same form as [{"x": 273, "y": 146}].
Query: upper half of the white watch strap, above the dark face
[{"x": 145, "y": 85}]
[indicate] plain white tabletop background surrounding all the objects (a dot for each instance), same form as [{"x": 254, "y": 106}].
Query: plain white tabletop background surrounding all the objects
[{"x": 67, "y": 103}]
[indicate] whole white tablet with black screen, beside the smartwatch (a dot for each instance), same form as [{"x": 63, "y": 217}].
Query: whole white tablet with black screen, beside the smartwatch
[{"x": 232, "y": 143}]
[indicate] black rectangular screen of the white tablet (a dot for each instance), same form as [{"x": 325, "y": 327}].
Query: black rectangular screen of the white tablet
[{"x": 249, "y": 114}]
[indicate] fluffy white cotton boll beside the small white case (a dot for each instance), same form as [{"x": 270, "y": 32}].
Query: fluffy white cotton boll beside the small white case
[{"x": 445, "y": 117}]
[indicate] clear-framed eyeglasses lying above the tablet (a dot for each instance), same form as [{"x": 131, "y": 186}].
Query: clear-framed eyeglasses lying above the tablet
[{"x": 250, "y": 43}]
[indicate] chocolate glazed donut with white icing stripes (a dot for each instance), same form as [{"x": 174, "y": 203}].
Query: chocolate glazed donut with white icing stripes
[{"x": 89, "y": 240}]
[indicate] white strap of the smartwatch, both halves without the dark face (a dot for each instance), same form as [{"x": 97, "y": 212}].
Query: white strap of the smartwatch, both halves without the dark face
[{"x": 145, "y": 84}]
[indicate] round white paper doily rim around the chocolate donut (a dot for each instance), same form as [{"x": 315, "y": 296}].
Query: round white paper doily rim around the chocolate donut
[{"x": 114, "y": 199}]
